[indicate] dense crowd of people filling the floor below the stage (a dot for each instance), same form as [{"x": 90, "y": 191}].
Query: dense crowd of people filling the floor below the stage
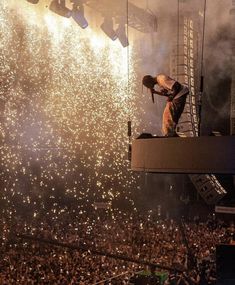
[{"x": 190, "y": 255}]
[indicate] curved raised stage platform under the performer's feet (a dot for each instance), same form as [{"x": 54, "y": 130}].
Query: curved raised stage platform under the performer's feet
[{"x": 208, "y": 154}]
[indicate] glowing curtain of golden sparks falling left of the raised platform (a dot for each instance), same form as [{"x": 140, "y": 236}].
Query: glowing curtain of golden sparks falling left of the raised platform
[{"x": 66, "y": 104}]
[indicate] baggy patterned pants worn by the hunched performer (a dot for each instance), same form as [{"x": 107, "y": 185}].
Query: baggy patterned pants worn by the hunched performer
[{"x": 171, "y": 115}]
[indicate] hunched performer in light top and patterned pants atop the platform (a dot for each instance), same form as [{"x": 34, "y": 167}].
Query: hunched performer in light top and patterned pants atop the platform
[{"x": 176, "y": 94}]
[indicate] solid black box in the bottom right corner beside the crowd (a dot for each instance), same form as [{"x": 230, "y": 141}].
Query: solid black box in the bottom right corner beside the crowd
[{"x": 225, "y": 264}]
